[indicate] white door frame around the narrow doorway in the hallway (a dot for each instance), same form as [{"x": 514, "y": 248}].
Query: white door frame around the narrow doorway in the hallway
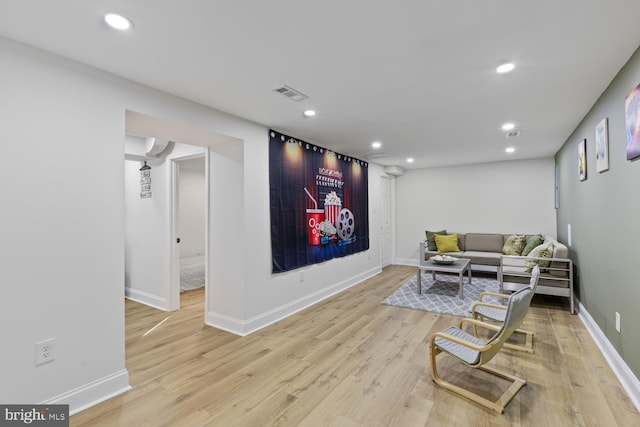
[{"x": 174, "y": 249}]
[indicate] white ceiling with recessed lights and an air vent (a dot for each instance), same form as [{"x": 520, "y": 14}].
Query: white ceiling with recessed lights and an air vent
[{"x": 417, "y": 75}]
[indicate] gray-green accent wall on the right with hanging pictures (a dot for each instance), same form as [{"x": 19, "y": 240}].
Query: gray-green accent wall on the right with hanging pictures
[{"x": 602, "y": 212}]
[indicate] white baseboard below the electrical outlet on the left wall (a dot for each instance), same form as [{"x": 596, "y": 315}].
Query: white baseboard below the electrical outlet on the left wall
[{"x": 93, "y": 393}]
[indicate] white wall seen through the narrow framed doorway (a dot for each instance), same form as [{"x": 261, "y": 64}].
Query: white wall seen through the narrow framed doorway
[{"x": 191, "y": 207}]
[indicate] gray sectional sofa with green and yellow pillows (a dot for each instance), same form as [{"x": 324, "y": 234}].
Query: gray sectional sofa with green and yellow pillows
[{"x": 485, "y": 252}]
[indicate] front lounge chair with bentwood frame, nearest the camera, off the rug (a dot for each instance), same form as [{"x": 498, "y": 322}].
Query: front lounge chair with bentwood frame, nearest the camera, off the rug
[{"x": 475, "y": 352}]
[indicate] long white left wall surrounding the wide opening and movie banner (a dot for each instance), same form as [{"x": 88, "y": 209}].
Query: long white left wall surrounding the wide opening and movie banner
[{"x": 63, "y": 219}]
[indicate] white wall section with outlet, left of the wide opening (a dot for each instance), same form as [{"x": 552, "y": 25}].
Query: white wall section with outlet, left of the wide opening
[{"x": 62, "y": 251}]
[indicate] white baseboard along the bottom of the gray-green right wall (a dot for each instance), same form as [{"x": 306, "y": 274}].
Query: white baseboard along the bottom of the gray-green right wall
[{"x": 626, "y": 377}]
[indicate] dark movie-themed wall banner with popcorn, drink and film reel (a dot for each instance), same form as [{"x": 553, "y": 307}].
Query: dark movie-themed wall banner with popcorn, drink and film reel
[{"x": 319, "y": 203}]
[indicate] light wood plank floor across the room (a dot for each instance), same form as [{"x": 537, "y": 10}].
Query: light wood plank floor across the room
[{"x": 350, "y": 361}]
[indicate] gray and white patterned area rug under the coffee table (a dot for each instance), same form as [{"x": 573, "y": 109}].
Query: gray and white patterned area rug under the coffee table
[{"x": 441, "y": 295}]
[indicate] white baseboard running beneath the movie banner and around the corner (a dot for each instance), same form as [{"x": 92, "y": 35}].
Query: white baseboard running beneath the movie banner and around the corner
[{"x": 246, "y": 327}]
